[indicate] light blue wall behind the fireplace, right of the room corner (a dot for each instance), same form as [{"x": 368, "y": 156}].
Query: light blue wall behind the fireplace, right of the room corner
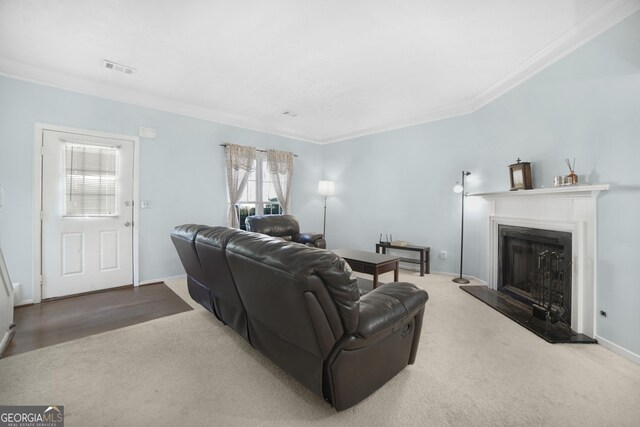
[{"x": 586, "y": 106}]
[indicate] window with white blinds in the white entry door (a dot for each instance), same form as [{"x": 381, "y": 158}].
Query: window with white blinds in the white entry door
[{"x": 91, "y": 180}]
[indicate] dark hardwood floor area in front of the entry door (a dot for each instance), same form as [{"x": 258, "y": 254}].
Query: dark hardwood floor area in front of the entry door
[{"x": 66, "y": 319}]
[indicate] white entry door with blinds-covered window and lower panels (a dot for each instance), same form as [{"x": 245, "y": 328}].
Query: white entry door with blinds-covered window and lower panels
[{"x": 87, "y": 213}]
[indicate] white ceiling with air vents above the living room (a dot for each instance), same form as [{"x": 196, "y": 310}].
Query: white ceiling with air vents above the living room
[{"x": 346, "y": 67}]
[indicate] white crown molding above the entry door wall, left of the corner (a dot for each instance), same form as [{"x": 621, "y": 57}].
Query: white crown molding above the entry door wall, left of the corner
[{"x": 33, "y": 74}]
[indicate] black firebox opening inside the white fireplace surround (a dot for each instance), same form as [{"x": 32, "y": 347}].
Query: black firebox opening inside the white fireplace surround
[{"x": 534, "y": 267}]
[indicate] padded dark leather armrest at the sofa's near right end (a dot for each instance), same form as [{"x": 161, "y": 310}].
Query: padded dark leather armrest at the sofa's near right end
[{"x": 388, "y": 305}]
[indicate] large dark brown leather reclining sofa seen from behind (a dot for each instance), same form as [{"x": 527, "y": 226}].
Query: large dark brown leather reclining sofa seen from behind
[{"x": 302, "y": 308}]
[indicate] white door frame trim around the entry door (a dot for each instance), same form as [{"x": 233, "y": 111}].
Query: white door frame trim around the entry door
[{"x": 37, "y": 198}]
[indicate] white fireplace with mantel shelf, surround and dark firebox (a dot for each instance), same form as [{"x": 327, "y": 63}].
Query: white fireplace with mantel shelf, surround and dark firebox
[{"x": 565, "y": 220}]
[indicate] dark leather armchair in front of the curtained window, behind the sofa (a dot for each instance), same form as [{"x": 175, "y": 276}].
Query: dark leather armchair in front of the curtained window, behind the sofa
[{"x": 284, "y": 226}]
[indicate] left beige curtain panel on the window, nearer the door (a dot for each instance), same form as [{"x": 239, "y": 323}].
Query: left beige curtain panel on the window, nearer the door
[{"x": 241, "y": 161}]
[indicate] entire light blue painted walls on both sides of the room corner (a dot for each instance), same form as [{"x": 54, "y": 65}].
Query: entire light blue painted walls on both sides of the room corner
[{"x": 586, "y": 106}]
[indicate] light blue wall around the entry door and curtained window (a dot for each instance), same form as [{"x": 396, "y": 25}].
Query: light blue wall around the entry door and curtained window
[{"x": 181, "y": 171}]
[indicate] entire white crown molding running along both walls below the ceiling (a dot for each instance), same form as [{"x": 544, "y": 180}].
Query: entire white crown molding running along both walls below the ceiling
[{"x": 612, "y": 13}]
